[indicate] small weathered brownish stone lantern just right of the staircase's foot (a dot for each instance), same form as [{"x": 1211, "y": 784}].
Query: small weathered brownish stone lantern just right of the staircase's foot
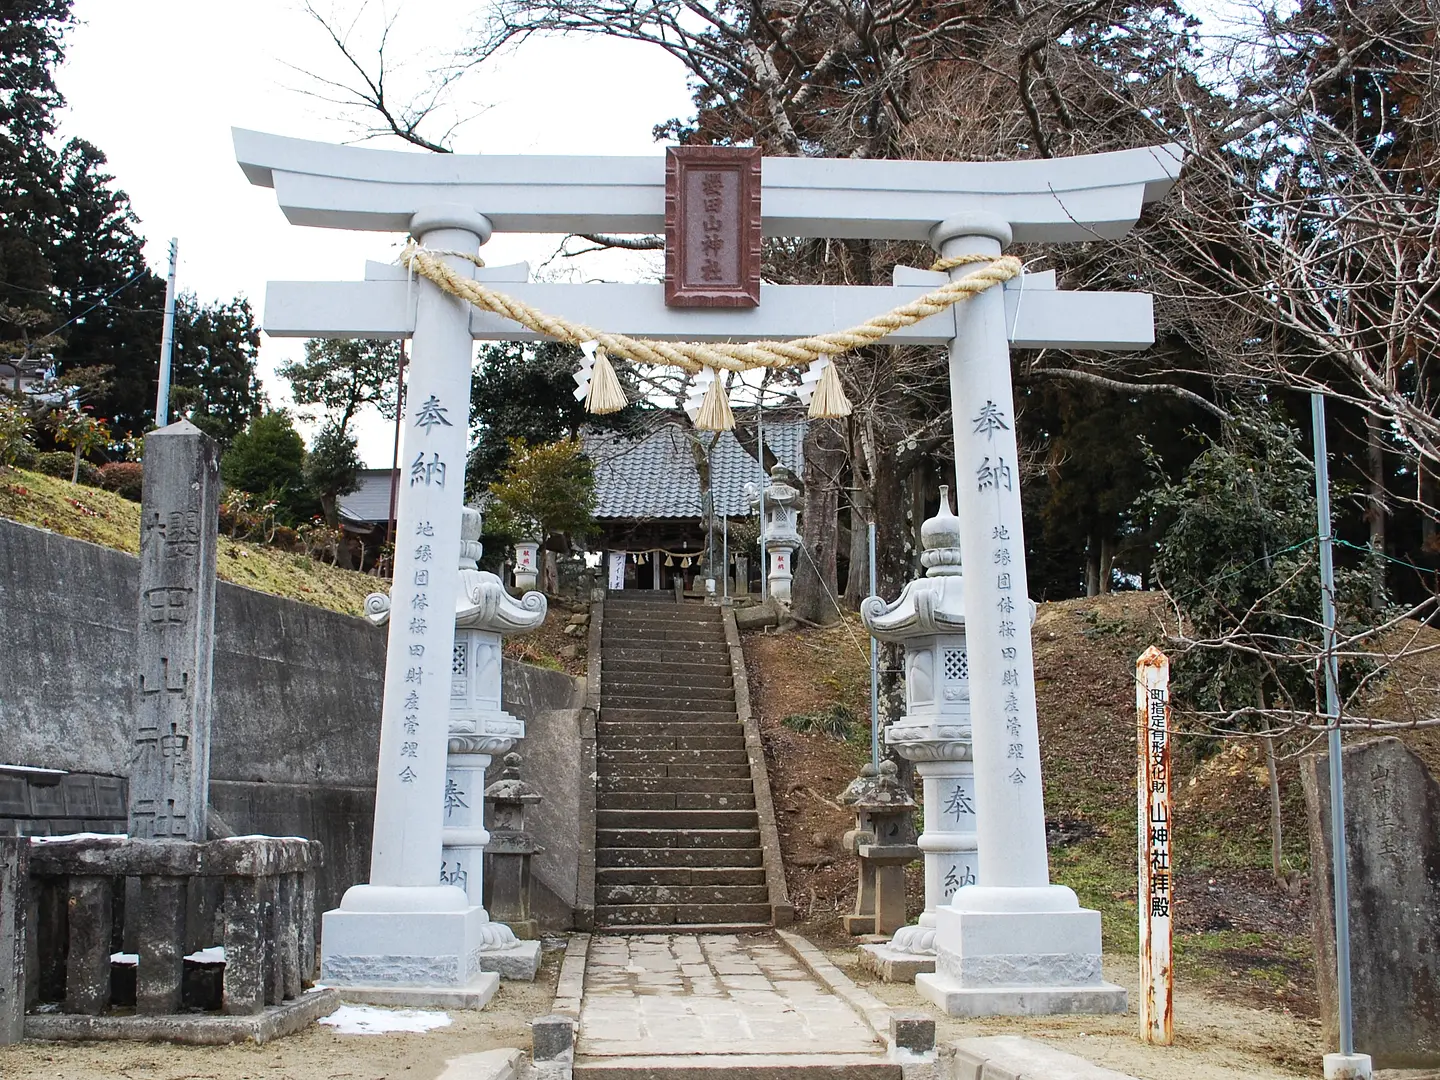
[{"x": 885, "y": 842}]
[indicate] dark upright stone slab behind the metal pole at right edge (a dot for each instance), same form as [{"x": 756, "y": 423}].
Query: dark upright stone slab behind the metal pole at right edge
[{"x": 1393, "y": 837}]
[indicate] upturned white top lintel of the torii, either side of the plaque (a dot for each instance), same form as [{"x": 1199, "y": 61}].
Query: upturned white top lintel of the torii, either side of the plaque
[{"x": 1063, "y": 199}]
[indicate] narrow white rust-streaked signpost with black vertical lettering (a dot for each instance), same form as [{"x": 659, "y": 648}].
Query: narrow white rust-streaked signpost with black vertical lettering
[{"x": 1156, "y": 832}]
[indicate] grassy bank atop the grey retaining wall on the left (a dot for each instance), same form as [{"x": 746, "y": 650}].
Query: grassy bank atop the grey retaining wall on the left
[{"x": 113, "y": 522}]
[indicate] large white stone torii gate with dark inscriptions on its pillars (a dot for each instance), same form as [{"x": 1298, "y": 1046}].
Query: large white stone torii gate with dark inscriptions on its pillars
[{"x": 1010, "y": 944}]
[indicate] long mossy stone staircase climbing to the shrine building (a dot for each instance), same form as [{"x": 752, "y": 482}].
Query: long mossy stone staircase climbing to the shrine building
[{"x": 678, "y": 843}]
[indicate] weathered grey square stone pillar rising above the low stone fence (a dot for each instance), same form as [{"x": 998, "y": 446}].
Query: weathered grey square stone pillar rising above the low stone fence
[{"x": 171, "y": 770}]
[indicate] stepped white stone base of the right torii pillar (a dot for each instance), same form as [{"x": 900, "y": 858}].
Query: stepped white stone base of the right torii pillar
[{"x": 1017, "y": 953}]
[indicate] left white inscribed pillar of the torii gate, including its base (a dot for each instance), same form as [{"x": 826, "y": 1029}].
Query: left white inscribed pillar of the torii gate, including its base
[{"x": 404, "y": 931}]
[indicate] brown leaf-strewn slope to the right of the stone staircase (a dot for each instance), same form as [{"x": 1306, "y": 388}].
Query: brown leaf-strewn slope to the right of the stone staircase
[{"x": 1238, "y": 928}]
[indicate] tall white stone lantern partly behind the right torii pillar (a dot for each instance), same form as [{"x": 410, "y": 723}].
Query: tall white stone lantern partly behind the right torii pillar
[{"x": 935, "y": 732}]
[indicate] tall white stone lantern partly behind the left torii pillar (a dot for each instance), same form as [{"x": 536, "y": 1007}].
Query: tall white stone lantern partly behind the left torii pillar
[{"x": 479, "y": 726}]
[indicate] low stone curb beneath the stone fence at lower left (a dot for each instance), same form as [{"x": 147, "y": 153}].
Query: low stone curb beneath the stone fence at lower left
[{"x": 192, "y": 1030}]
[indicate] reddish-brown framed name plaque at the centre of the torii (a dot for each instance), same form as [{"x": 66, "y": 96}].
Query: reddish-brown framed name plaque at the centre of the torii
[{"x": 712, "y": 227}]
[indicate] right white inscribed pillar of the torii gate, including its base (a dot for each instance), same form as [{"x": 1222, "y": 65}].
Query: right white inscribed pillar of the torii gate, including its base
[{"x": 1013, "y": 944}]
